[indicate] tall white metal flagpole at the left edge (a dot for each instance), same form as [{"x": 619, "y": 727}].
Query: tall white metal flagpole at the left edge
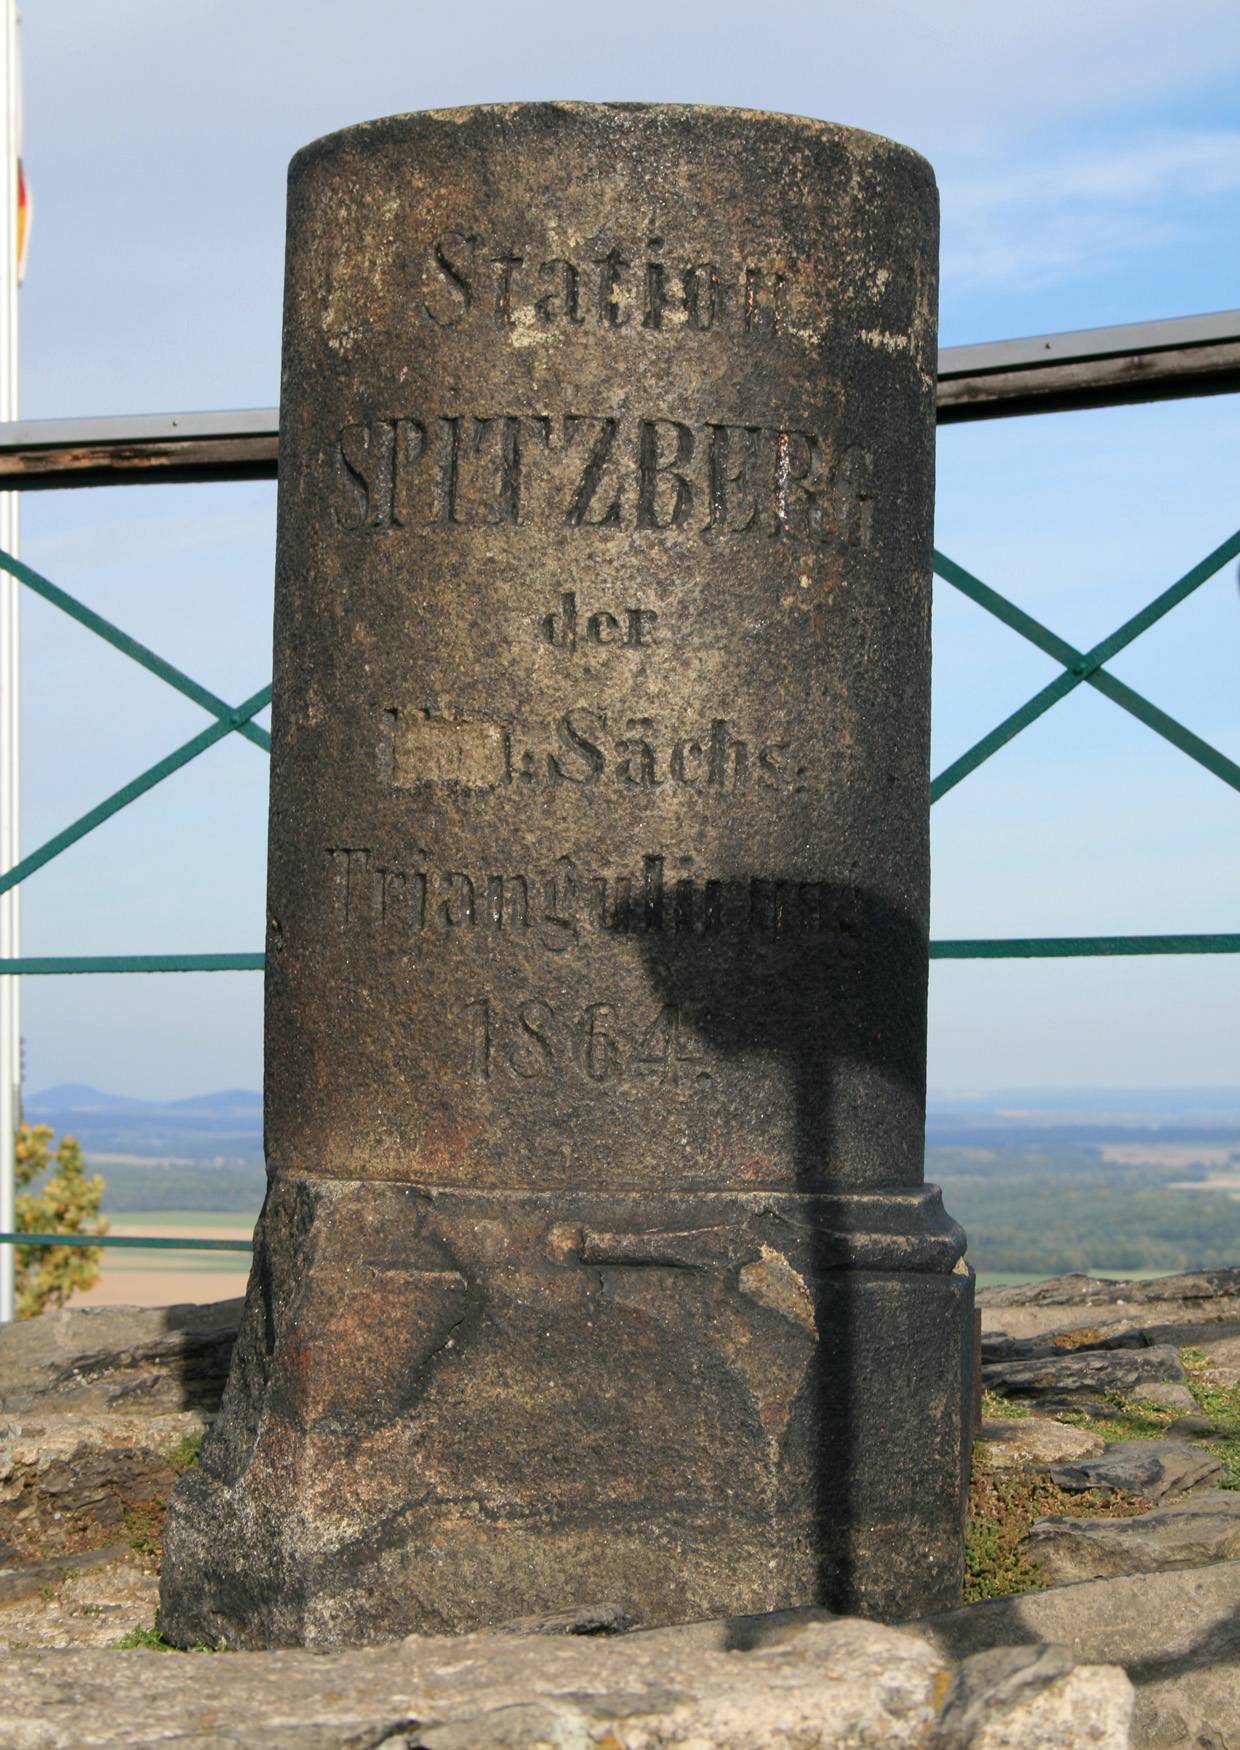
[{"x": 10, "y": 673}]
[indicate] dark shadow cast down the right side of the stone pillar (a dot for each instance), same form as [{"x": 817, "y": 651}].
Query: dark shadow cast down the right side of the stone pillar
[{"x": 828, "y": 981}]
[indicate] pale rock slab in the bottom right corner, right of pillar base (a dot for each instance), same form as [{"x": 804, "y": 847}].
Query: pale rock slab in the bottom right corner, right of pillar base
[{"x": 1178, "y": 1635}]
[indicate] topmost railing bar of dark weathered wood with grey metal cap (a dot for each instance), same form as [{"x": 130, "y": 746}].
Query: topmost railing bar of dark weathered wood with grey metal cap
[{"x": 1043, "y": 374}]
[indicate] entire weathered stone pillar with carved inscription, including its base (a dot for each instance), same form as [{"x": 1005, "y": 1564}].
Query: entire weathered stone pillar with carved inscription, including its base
[{"x": 597, "y": 1261}]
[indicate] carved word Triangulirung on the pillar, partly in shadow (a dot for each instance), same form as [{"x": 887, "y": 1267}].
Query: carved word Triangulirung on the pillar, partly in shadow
[{"x": 403, "y": 899}]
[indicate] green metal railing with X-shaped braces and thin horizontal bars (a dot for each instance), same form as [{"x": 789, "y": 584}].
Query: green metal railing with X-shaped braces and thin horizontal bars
[{"x": 1080, "y": 669}]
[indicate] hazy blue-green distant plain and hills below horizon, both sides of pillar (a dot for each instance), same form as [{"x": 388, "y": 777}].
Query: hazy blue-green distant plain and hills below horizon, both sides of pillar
[{"x": 1034, "y": 1173}]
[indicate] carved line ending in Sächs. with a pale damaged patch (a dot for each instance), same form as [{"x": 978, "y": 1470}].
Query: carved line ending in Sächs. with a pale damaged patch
[{"x": 585, "y": 748}]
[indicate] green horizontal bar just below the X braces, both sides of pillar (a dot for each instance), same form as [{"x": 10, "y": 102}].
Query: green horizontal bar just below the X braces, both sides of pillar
[{"x": 961, "y": 949}]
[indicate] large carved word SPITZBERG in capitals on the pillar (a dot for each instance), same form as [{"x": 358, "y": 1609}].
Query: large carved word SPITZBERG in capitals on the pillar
[{"x": 599, "y": 472}]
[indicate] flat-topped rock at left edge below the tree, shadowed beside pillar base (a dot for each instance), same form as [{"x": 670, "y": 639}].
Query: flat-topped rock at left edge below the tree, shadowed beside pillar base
[{"x": 130, "y": 1361}]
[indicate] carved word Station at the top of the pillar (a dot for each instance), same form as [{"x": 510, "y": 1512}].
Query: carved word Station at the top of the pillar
[{"x": 643, "y": 288}]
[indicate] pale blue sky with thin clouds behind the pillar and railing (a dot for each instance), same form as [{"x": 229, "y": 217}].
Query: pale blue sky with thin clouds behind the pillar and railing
[{"x": 1090, "y": 171}]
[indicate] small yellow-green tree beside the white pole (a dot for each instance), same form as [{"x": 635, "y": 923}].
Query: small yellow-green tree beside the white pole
[{"x": 66, "y": 1203}]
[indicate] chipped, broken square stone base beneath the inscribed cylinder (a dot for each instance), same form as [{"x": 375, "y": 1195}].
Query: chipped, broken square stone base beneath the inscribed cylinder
[{"x": 688, "y": 1406}]
